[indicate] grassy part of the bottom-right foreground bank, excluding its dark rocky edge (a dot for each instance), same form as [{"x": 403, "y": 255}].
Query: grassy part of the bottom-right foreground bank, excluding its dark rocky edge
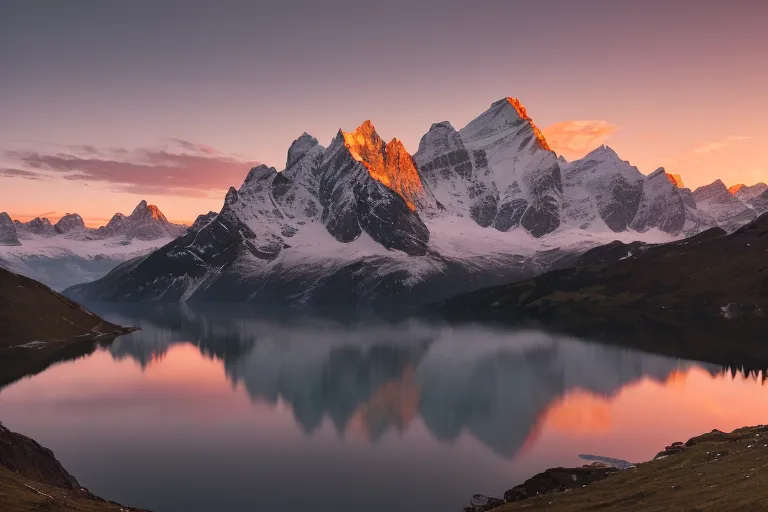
[{"x": 694, "y": 480}]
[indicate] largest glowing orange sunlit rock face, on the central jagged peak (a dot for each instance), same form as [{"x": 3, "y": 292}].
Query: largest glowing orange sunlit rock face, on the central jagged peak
[{"x": 389, "y": 164}]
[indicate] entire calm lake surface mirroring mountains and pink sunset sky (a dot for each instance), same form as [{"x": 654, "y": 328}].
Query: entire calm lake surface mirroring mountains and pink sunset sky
[{"x": 219, "y": 410}]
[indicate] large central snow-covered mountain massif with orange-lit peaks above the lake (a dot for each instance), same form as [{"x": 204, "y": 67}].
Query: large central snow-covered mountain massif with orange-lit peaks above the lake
[{"x": 362, "y": 222}]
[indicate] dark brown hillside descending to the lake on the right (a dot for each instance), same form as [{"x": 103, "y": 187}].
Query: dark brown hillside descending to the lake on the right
[{"x": 712, "y": 289}]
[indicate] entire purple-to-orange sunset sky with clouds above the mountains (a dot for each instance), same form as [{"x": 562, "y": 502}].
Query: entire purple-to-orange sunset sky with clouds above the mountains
[{"x": 104, "y": 104}]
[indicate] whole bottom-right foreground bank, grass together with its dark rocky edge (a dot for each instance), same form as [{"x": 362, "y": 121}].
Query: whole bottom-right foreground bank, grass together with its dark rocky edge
[{"x": 715, "y": 471}]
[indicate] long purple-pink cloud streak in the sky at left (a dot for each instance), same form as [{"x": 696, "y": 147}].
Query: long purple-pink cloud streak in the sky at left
[{"x": 185, "y": 168}]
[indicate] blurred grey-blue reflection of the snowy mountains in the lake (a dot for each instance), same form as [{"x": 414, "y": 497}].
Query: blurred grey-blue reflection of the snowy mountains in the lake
[{"x": 494, "y": 384}]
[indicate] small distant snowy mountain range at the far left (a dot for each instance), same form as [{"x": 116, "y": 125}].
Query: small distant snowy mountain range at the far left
[{"x": 69, "y": 253}]
